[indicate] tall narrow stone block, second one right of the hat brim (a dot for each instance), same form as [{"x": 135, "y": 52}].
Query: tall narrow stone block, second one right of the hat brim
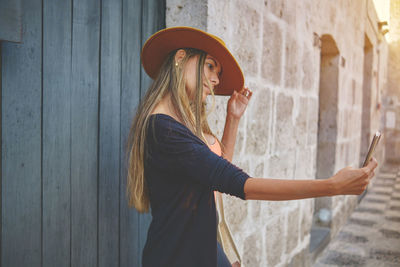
[{"x": 271, "y": 65}]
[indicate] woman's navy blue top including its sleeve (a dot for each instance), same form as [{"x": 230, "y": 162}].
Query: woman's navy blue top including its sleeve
[{"x": 181, "y": 174}]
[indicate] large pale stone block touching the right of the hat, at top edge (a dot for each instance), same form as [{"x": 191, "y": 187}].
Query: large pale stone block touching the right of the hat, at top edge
[{"x": 246, "y": 24}]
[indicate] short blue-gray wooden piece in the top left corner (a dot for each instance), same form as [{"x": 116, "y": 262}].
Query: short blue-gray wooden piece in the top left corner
[{"x": 10, "y": 20}]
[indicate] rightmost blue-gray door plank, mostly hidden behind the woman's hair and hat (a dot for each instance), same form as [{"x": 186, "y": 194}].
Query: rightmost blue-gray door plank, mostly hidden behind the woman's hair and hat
[{"x": 153, "y": 19}]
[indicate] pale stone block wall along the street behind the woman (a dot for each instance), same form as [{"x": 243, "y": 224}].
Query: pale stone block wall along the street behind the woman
[{"x": 278, "y": 45}]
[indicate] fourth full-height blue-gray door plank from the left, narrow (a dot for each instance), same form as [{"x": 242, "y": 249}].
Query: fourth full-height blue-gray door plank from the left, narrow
[{"x": 109, "y": 148}]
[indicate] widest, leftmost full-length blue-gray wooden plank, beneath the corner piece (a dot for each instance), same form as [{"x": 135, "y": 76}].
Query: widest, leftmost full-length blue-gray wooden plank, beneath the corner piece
[{"x": 21, "y": 143}]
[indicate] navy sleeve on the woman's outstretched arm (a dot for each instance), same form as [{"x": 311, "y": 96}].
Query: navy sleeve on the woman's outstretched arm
[{"x": 181, "y": 152}]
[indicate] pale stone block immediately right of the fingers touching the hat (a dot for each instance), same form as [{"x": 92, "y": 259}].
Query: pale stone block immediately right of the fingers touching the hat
[{"x": 258, "y": 123}]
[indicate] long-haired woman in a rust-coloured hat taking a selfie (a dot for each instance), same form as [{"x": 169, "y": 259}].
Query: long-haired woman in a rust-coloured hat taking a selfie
[{"x": 171, "y": 166}]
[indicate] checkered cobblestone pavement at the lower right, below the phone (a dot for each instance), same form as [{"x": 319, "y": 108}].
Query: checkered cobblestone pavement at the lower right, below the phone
[{"x": 371, "y": 236}]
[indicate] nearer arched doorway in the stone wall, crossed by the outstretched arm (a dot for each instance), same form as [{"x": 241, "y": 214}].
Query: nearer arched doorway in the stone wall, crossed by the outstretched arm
[{"x": 327, "y": 139}]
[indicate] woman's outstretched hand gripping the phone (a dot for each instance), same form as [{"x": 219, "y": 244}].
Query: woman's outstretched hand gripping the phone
[{"x": 353, "y": 181}]
